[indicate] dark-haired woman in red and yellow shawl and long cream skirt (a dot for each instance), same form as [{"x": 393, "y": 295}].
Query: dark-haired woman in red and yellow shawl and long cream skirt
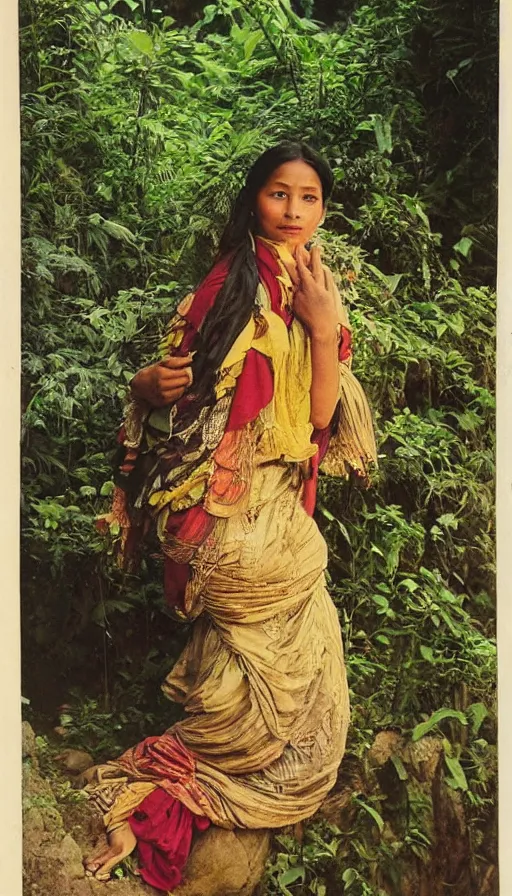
[{"x": 221, "y": 447}]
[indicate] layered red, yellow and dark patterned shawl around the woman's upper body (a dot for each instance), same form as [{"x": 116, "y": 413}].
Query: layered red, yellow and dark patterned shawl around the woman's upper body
[{"x": 187, "y": 464}]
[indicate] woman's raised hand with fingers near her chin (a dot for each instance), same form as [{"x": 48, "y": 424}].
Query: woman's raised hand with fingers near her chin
[{"x": 314, "y": 302}]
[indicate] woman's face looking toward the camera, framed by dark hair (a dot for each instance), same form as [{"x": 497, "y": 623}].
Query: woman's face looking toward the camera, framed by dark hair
[{"x": 289, "y": 207}]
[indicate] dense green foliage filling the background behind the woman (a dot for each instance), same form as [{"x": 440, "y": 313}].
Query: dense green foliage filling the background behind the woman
[{"x": 137, "y": 130}]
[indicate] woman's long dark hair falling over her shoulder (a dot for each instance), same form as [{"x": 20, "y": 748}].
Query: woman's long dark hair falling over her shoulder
[{"x": 236, "y": 298}]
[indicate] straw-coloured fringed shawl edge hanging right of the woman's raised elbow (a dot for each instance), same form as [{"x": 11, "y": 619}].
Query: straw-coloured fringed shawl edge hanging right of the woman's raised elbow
[{"x": 352, "y": 446}]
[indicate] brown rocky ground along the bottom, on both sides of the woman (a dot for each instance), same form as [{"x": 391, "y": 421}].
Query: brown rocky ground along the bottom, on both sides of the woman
[{"x": 60, "y": 828}]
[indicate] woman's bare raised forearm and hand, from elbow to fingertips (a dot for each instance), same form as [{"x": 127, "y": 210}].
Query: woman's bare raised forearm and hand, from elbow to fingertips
[{"x": 315, "y": 305}]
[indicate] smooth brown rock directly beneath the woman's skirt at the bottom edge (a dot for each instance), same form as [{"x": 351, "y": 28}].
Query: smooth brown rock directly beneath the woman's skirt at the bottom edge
[{"x": 225, "y": 863}]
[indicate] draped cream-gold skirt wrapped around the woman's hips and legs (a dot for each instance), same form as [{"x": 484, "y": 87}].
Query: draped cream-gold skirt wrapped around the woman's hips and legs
[{"x": 262, "y": 680}]
